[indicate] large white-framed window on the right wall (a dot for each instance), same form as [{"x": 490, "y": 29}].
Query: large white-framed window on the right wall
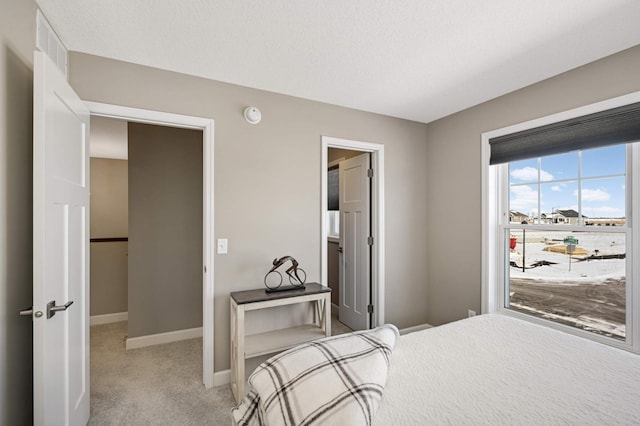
[{"x": 560, "y": 225}]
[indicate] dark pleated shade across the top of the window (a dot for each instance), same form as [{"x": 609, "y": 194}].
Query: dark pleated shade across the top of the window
[{"x": 611, "y": 127}]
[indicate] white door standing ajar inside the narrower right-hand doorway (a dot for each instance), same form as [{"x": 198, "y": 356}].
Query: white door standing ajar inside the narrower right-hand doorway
[{"x": 355, "y": 229}]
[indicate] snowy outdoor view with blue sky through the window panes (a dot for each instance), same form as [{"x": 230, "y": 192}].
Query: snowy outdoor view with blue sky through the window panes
[{"x": 567, "y": 239}]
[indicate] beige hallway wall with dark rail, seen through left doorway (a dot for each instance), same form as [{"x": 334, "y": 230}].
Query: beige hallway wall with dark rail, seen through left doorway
[{"x": 109, "y": 219}]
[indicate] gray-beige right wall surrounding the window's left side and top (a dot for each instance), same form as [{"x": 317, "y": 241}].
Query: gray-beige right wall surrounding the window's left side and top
[{"x": 453, "y": 165}]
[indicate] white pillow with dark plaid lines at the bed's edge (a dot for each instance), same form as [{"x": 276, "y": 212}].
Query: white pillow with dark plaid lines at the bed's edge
[{"x": 336, "y": 380}]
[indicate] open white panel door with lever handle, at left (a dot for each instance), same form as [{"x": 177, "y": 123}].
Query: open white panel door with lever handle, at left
[{"x": 60, "y": 250}]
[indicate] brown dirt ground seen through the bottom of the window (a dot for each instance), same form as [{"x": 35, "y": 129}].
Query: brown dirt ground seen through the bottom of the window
[{"x": 573, "y": 300}]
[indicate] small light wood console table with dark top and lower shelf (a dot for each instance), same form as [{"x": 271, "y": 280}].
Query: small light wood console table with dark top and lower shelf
[{"x": 243, "y": 347}]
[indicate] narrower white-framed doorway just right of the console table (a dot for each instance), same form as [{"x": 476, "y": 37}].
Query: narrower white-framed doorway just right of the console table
[{"x": 366, "y": 288}]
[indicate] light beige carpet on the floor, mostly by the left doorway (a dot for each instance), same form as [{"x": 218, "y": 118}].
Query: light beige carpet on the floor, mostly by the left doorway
[{"x": 157, "y": 385}]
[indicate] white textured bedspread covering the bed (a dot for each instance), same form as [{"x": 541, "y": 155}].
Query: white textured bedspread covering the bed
[{"x": 496, "y": 370}]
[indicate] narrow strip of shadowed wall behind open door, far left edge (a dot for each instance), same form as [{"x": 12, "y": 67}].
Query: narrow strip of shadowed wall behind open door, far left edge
[{"x": 17, "y": 39}]
